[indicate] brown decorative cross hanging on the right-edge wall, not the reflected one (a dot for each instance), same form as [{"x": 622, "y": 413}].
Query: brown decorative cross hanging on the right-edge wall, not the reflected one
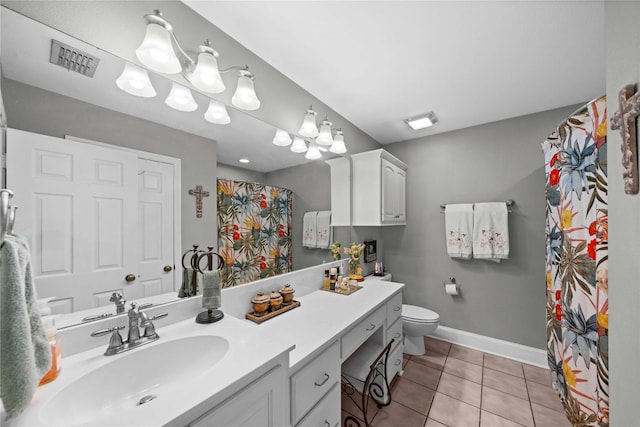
[{"x": 625, "y": 120}]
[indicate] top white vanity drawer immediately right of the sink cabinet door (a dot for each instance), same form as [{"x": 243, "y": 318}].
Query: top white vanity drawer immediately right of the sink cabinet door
[{"x": 313, "y": 381}]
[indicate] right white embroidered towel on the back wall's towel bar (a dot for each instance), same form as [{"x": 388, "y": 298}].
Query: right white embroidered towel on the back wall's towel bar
[{"x": 491, "y": 231}]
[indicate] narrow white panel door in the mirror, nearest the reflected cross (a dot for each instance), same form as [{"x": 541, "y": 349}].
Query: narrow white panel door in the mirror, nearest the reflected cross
[{"x": 156, "y": 233}]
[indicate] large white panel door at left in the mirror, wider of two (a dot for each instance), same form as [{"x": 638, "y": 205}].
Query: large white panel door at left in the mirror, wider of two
[{"x": 78, "y": 209}]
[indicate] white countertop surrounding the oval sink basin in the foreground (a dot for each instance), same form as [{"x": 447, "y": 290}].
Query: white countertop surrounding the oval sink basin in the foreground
[{"x": 249, "y": 350}]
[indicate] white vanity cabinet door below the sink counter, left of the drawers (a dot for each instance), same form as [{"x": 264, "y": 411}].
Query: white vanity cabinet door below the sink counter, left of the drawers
[{"x": 258, "y": 405}]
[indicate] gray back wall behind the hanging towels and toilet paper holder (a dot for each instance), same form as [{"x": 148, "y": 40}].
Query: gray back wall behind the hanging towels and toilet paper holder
[{"x": 492, "y": 162}]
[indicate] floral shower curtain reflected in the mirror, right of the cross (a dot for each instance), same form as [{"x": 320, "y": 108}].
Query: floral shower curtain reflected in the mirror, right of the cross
[{"x": 254, "y": 231}]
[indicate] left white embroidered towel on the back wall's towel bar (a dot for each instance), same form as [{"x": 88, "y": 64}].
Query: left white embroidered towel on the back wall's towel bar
[{"x": 458, "y": 220}]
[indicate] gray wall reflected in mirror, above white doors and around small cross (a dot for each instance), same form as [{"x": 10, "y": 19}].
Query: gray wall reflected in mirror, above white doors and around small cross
[{"x": 39, "y": 111}]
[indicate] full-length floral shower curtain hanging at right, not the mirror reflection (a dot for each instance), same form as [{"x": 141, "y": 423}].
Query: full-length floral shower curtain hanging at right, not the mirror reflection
[{"x": 576, "y": 264}]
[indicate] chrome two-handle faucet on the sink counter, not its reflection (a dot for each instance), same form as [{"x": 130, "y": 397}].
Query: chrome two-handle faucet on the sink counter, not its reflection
[{"x": 137, "y": 319}]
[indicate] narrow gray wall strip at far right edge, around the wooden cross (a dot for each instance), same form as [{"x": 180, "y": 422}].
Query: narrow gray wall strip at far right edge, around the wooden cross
[{"x": 623, "y": 67}]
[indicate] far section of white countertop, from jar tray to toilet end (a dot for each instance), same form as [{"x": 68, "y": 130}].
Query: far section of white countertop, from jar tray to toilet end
[{"x": 323, "y": 316}]
